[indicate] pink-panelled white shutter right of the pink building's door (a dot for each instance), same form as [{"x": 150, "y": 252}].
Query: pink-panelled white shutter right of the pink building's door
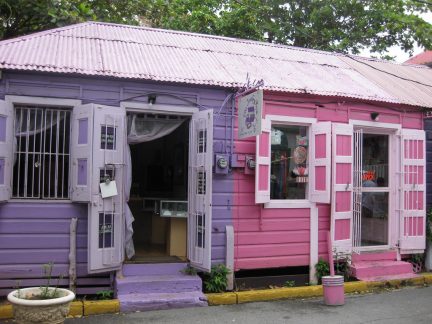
[{"x": 413, "y": 190}]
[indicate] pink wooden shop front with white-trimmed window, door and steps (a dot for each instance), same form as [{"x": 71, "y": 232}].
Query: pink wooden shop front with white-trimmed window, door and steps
[{"x": 323, "y": 164}]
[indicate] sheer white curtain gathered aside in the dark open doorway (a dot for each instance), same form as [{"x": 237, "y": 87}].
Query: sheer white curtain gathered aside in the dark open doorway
[{"x": 140, "y": 130}]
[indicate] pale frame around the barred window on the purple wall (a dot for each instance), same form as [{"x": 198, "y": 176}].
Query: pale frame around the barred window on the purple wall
[{"x": 47, "y": 102}]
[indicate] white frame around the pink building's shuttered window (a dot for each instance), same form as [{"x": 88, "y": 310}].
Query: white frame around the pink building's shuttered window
[{"x": 291, "y": 121}]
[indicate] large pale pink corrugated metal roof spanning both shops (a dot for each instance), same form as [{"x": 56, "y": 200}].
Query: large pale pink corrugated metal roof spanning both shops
[{"x": 122, "y": 51}]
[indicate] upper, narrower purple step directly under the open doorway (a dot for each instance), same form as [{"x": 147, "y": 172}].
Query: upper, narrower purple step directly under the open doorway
[{"x": 138, "y": 269}]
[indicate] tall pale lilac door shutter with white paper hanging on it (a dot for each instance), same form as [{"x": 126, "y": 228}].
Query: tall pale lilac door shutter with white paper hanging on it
[{"x": 106, "y": 215}]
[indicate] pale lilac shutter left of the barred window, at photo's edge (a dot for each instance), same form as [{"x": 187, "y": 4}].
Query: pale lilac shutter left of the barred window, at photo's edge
[{"x": 7, "y": 138}]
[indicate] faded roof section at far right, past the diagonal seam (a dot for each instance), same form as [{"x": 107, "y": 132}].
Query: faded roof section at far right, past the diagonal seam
[{"x": 410, "y": 84}]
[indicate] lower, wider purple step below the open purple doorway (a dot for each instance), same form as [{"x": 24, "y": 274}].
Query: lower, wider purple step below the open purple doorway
[{"x": 158, "y": 284}]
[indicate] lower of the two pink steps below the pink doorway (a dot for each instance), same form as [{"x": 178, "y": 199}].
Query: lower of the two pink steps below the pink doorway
[{"x": 367, "y": 269}]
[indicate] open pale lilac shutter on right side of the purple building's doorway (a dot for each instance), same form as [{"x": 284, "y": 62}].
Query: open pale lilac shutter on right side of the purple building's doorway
[{"x": 200, "y": 189}]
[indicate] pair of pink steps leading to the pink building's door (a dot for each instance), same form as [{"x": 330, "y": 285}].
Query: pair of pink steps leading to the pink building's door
[{"x": 380, "y": 266}]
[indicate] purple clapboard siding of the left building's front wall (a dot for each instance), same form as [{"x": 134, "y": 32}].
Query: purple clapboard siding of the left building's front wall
[{"x": 44, "y": 228}]
